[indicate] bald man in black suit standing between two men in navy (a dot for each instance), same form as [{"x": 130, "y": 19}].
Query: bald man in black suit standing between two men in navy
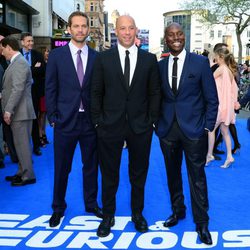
[{"x": 125, "y": 100}]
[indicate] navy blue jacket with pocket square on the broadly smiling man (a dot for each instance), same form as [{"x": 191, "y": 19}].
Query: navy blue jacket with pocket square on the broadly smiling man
[{"x": 196, "y": 102}]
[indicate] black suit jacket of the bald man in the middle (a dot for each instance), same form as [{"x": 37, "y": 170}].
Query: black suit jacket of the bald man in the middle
[{"x": 112, "y": 103}]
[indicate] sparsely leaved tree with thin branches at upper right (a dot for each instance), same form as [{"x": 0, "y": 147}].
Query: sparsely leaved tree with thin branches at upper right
[{"x": 236, "y": 12}]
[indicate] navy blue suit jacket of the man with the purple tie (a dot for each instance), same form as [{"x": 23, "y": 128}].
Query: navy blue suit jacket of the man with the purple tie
[{"x": 62, "y": 88}]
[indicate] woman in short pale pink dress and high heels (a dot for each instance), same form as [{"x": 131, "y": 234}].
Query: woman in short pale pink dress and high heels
[{"x": 227, "y": 90}]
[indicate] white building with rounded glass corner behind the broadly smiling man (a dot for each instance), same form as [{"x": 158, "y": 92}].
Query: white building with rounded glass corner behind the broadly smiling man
[{"x": 200, "y": 37}]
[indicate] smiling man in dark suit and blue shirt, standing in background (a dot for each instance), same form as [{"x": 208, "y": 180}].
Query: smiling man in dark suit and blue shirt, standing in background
[{"x": 37, "y": 65}]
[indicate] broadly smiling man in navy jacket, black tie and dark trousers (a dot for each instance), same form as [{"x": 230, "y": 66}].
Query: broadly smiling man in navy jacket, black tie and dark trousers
[{"x": 188, "y": 111}]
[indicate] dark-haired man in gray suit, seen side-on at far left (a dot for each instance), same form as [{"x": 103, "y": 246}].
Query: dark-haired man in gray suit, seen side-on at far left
[{"x": 18, "y": 109}]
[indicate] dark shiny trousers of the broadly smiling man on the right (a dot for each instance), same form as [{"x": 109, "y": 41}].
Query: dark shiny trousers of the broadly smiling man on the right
[{"x": 195, "y": 152}]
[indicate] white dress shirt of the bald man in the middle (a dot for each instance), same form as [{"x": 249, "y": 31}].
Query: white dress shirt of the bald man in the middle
[{"x": 133, "y": 52}]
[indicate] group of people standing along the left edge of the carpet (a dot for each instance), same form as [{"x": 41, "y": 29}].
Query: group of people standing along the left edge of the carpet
[{"x": 21, "y": 80}]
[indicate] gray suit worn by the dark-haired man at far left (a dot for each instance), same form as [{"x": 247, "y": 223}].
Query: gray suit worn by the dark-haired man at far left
[{"x": 16, "y": 99}]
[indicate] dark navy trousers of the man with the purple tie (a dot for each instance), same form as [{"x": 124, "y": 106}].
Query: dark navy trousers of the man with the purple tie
[{"x": 64, "y": 147}]
